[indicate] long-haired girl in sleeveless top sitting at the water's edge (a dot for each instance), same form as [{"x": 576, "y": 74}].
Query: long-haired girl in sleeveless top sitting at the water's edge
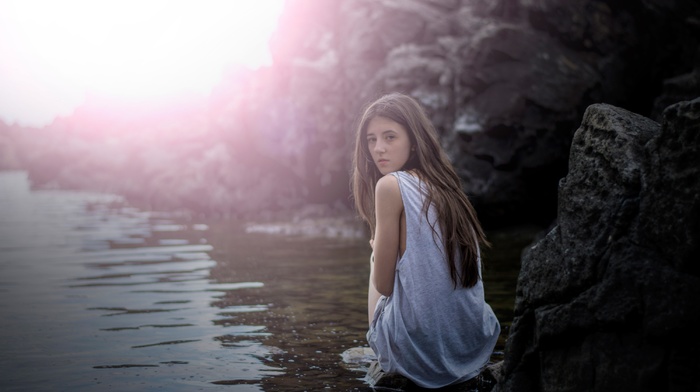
[{"x": 428, "y": 318}]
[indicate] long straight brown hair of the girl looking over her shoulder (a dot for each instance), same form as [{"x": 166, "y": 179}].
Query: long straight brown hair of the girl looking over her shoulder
[{"x": 461, "y": 230}]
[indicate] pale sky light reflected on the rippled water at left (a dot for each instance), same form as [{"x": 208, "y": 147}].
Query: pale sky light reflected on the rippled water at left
[{"x": 98, "y": 294}]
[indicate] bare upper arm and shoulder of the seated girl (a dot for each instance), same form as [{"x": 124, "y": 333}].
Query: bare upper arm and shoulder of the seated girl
[{"x": 388, "y": 209}]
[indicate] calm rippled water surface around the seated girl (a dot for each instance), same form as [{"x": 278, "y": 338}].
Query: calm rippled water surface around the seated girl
[{"x": 98, "y": 295}]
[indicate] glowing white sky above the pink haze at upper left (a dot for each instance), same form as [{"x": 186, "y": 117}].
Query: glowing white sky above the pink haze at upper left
[{"x": 53, "y": 51}]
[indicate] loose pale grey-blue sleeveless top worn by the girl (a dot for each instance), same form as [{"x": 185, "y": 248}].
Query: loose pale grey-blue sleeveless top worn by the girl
[{"x": 427, "y": 330}]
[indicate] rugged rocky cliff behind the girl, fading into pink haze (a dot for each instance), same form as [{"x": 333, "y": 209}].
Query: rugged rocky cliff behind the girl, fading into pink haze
[{"x": 505, "y": 81}]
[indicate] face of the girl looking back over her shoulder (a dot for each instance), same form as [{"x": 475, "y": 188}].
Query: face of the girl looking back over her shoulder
[{"x": 389, "y": 144}]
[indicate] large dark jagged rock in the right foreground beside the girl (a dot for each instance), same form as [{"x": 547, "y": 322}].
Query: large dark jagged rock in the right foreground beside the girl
[{"x": 609, "y": 299}]
